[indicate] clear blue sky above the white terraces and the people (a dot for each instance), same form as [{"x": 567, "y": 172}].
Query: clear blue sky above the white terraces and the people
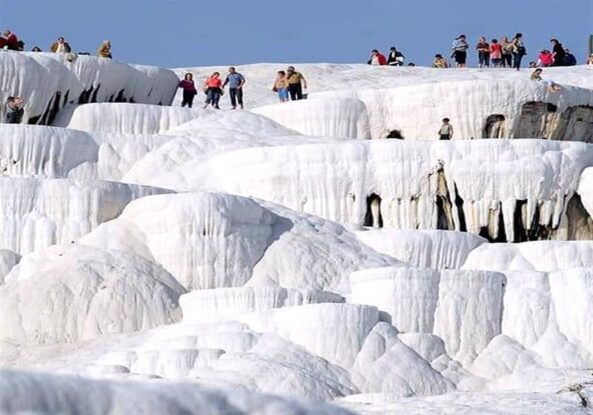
[{"x": 175, "y": 33}]
